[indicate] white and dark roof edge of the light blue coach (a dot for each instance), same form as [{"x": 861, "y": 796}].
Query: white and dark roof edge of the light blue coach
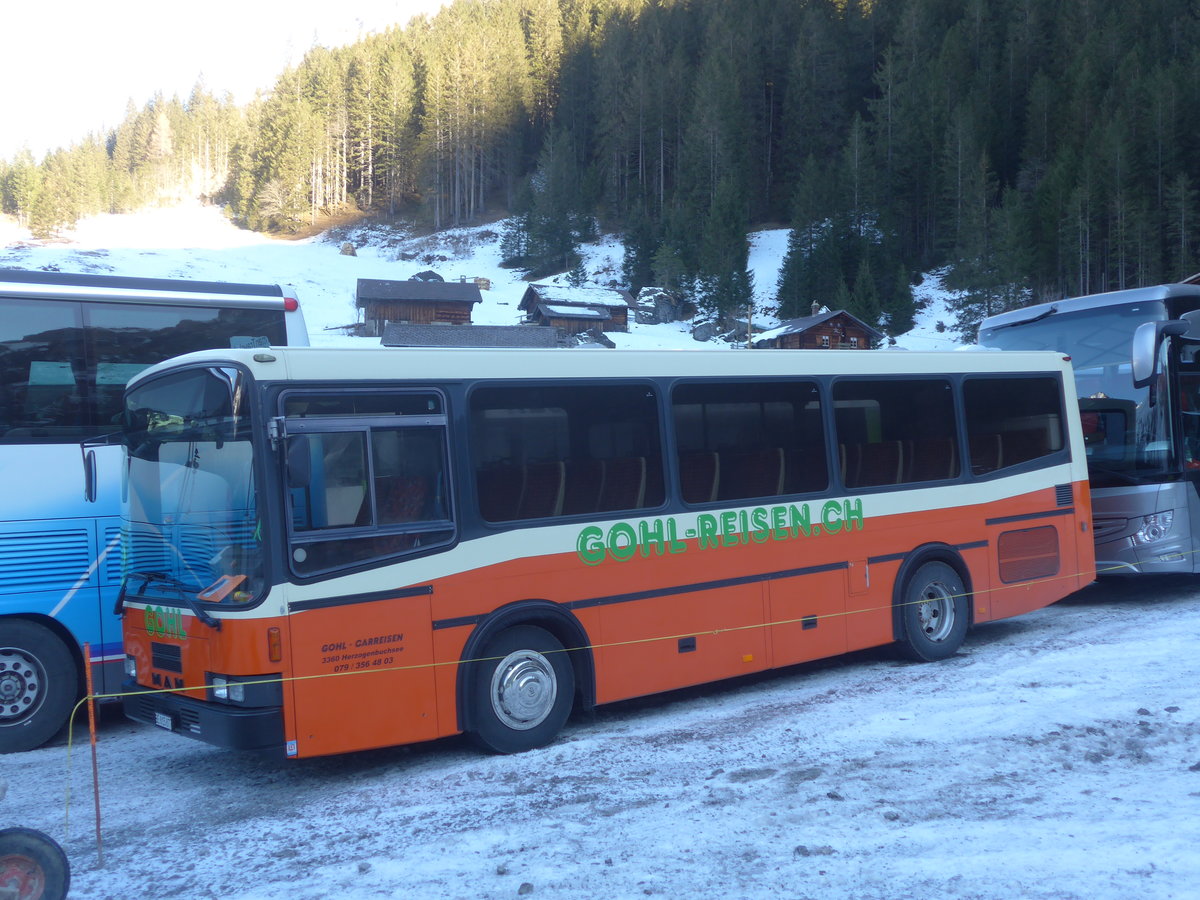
[{"x": 119, "y": 289}]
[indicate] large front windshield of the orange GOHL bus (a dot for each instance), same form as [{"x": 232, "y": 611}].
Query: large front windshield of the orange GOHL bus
[{"x": 191, "y": 529}]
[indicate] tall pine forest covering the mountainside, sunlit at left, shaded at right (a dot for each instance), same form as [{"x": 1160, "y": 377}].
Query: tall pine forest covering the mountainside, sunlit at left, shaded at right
[{"x": 1034, "y": 151}]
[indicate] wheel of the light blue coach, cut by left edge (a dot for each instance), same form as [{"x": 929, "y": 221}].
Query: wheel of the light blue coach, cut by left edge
[{"x": 39, "y": 682}]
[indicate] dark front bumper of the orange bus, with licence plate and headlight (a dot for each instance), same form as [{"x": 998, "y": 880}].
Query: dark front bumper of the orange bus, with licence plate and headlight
[{"x": 226, "y": 727}]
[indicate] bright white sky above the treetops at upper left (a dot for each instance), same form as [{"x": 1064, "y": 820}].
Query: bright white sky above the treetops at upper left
[{"x": 70, "y": 68}]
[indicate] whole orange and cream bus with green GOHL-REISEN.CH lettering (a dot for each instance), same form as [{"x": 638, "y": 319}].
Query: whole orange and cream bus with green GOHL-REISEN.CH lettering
[{"x": 337, "y": 550}]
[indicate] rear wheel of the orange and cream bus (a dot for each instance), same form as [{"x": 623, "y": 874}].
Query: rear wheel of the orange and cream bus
[{"x": 934, "y": 613}]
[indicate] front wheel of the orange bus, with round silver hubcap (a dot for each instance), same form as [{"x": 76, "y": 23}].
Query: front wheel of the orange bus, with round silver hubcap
[{"x": 521, "y": 692}]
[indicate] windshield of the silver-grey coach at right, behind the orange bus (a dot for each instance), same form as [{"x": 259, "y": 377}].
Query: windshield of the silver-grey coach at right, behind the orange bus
[{"x": 1127, "y": 440}]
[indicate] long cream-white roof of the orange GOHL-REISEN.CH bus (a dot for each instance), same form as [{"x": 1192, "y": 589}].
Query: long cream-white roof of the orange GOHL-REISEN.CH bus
[{"x": 376, "y": 364}]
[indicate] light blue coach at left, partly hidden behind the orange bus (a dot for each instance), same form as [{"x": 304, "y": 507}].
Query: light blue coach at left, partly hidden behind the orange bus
[{"x": 68, "y": 346}]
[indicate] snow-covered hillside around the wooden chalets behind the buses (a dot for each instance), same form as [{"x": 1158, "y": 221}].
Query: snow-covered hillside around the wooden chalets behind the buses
[{"x": 200, "y": 243}]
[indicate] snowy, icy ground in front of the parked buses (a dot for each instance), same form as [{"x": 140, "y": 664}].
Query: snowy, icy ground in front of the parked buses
[{"x": 1057, "y": 757}]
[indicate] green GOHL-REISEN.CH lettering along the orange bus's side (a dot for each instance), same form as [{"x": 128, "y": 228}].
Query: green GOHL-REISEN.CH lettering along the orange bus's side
[{"x": 728, "y": 529}]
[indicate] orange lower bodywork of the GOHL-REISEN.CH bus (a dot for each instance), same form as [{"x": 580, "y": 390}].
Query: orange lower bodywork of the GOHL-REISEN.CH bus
[{"x": 385, "y": 671}]
